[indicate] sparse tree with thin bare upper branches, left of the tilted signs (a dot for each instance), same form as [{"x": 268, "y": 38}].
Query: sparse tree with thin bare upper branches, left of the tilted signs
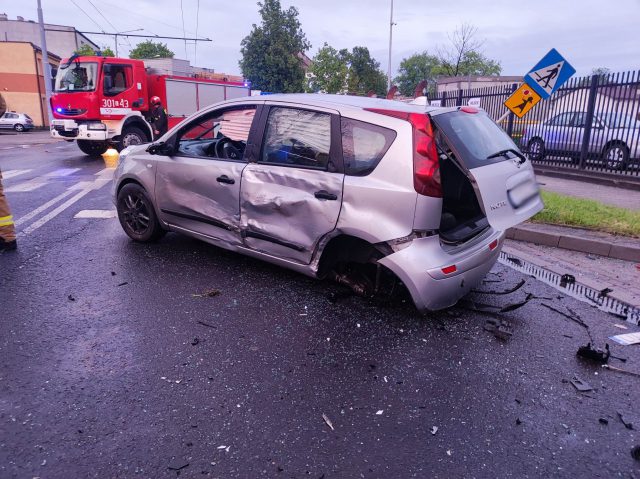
[{"x": 464, "y": 57}]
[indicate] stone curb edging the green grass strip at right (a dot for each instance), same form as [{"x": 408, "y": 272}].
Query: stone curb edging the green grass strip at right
[{"x": 601, "y": 247}]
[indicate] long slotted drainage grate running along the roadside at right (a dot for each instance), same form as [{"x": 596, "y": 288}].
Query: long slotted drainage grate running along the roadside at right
[{"x": 569, "y": 286}]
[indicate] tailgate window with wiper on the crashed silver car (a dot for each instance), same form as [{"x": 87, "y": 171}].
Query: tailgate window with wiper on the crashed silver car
[{"x": 474, "y": 136}]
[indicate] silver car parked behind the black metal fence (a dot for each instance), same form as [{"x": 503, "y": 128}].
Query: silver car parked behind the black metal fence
[{"x": 614, "y": 141}]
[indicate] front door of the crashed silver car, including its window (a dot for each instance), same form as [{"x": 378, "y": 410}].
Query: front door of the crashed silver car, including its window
[{"x": 198, "y": 188}]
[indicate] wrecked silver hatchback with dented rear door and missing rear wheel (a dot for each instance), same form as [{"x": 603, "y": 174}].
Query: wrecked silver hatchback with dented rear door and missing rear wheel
[{"x": 369, "y": 192}]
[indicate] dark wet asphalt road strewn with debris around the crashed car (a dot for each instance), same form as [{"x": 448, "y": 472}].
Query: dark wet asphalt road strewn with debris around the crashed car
[{"x": 111, "y": 367}]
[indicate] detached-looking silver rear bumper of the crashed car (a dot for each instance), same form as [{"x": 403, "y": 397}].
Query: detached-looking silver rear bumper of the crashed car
[{"x": 420, "y": 265}]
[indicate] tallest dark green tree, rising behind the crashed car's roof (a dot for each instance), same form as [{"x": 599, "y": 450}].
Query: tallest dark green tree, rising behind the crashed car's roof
[{"x": 270, "y": 51}]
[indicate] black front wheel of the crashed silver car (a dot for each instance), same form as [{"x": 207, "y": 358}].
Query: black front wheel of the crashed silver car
[{"x": 137, "y": 215}]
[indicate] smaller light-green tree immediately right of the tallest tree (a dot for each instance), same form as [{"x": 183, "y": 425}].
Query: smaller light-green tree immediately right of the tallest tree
[{"x": 329, "y": 70}]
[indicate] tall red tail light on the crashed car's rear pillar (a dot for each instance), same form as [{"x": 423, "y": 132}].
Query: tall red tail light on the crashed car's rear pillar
[{"x": 426, "y": 164}]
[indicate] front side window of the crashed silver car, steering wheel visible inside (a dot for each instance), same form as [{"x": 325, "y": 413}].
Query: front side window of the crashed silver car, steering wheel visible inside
[{"x": 222, "y": 134}]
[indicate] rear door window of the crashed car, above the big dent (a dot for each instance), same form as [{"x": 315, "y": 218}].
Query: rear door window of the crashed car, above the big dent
[{"x": 297, "y": 138}]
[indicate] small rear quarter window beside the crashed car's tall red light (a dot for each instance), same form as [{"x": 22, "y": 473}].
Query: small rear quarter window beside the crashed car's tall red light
[{"x": 363, "y": 145}]
